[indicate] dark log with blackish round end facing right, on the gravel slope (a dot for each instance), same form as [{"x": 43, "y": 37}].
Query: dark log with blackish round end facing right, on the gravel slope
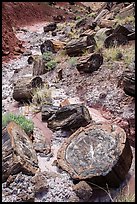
[{"x": 90, "y": 63}]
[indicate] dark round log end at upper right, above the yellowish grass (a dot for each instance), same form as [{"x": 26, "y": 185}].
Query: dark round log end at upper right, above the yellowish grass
[{"x": 115, "y": 39}]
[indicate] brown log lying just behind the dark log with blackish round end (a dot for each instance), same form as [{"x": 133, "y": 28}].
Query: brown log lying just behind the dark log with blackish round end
[{"x": 77, "y": 47}]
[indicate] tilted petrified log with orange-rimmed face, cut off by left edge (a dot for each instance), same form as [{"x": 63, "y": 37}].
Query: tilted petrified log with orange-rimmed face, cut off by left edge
[{"x": 17, "y": 152}]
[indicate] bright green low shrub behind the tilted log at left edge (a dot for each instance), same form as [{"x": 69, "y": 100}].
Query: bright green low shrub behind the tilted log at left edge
[{"x": 26, "y": 124}]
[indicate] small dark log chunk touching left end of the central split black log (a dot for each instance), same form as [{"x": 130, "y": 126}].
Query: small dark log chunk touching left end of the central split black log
[{"x": 47, "y": 111}]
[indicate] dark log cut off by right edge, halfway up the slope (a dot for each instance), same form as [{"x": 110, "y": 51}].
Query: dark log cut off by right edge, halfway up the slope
[{"x": 129, "y": 82}]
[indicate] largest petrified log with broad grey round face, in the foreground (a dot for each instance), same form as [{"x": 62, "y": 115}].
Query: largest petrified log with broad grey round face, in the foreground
[{"x": 99, "y": 153}]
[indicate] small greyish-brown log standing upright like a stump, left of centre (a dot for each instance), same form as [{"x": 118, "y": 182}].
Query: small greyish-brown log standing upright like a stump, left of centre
[{"x": 39, "y": 66}]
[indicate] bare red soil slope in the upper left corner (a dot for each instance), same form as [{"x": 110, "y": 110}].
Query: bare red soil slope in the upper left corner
[{"x": 16, "y": 14}]
